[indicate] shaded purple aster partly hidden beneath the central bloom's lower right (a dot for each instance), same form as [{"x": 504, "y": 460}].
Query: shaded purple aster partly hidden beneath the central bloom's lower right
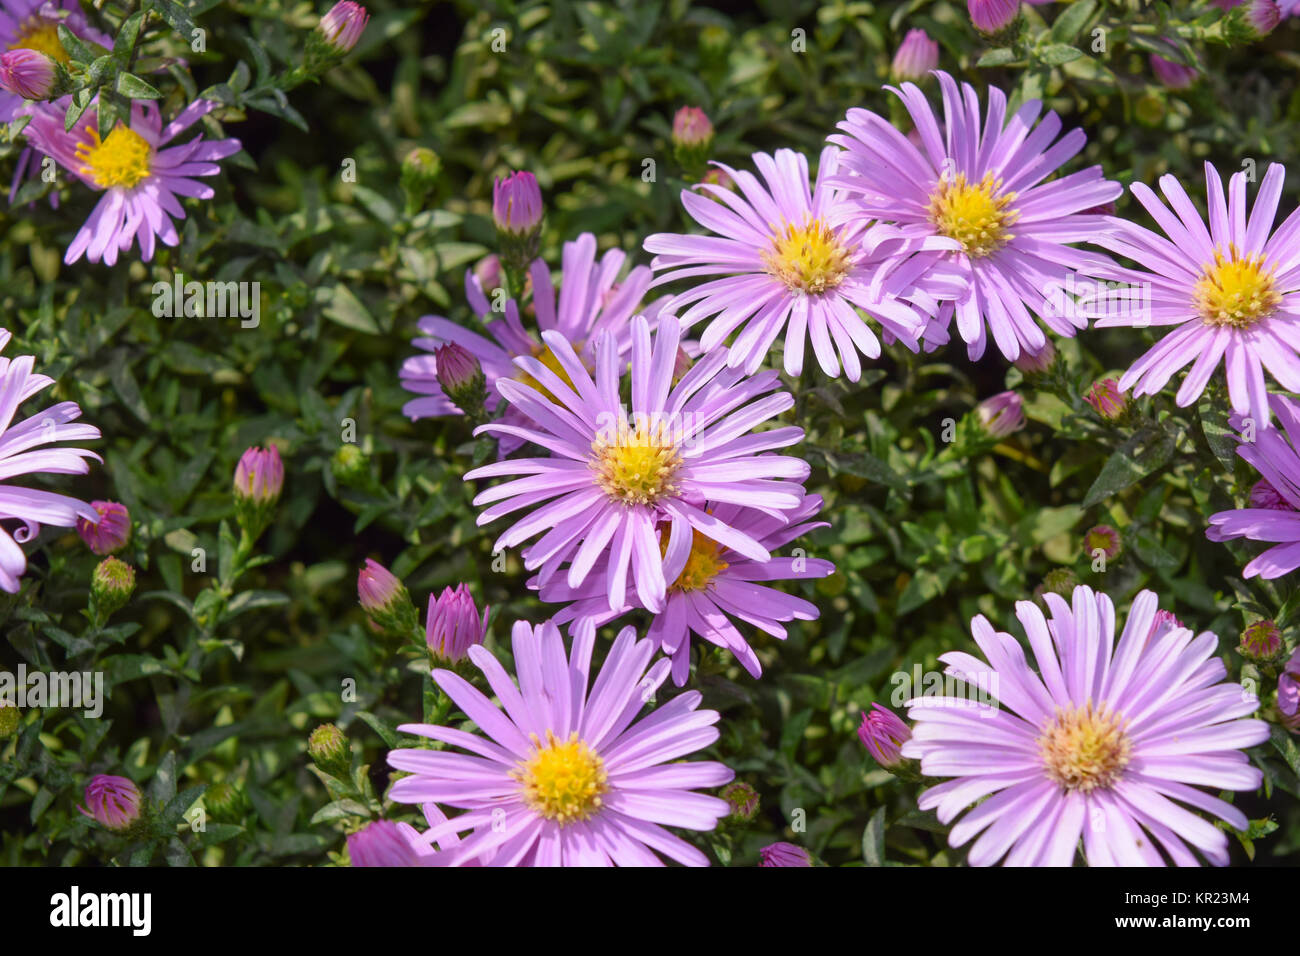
[{"x": 712, "y": 585}]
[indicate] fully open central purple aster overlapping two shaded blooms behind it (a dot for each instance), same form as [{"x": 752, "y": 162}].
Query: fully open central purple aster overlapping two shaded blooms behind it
[{"x": 617, "y": 475}]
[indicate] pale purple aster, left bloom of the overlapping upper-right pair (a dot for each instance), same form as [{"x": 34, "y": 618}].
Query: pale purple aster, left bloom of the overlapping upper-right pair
[{"x": 786, "y": 266}]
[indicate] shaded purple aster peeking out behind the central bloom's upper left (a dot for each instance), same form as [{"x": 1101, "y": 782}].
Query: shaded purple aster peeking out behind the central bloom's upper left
[{"x": 592, "y": 301}]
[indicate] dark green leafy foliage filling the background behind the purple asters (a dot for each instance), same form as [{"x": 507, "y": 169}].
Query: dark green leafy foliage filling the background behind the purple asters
[{"x": 582, "y": 97}]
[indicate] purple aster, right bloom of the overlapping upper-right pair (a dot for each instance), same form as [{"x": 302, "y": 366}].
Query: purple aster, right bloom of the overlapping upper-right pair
[{"x": 976, "y": 198}]
